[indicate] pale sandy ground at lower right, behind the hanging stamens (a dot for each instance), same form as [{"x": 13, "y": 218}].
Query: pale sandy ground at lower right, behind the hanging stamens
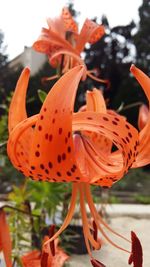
[{"x": 113, "y": 257}]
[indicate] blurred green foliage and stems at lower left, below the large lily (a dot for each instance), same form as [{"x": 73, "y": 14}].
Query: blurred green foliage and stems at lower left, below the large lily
[{"x": 28, "y": 208}]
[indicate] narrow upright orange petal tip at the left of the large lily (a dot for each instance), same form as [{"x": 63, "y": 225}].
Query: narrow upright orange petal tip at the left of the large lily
[{"x": 17, "y": 110}]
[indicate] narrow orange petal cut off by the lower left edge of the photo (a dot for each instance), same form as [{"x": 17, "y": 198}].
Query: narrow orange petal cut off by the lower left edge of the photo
[{"x": 5, "y": 240}]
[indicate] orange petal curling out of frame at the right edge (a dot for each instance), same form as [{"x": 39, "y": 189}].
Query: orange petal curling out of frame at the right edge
[{"x": 144, "y": 137}]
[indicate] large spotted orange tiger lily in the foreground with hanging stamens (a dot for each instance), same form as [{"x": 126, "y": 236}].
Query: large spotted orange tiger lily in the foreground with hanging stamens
[{"x": 58, "y": 145}]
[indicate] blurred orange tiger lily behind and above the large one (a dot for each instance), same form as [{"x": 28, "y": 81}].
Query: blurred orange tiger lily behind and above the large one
[{"x": 62, "y": 38}]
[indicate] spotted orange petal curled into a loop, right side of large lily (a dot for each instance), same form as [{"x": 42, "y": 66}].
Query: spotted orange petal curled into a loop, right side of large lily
[{"x": 125, "y": 137}]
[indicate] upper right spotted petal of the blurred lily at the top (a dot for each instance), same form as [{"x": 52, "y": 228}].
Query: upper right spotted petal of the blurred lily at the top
[{"x": 91, "y": 32}]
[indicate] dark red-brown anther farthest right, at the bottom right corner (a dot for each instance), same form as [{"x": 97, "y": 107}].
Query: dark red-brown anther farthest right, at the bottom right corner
[{"x": 136, "y": 256}]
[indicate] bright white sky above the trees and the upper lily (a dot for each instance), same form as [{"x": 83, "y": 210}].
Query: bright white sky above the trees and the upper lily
[{"x": 21, "y": 21}]
